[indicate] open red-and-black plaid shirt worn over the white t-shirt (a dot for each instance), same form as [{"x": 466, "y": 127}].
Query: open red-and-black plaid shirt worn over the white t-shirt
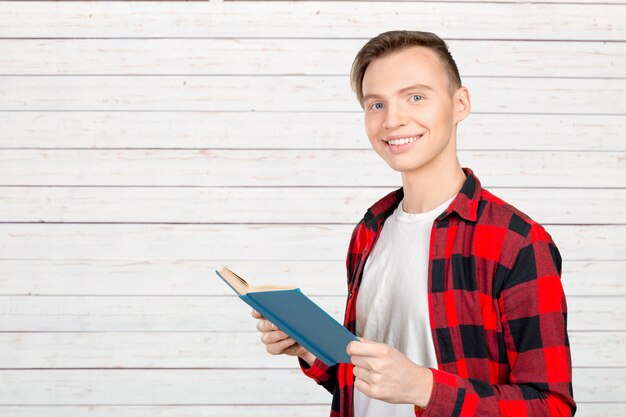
[{"x": 497, "y": 311}]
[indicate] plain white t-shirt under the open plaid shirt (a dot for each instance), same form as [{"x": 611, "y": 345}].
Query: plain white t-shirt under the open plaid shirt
[{"x": 392, "y": 302}]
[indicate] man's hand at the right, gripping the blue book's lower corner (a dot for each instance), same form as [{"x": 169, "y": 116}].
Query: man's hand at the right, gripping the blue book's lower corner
[{"x": 386, "y": 374}]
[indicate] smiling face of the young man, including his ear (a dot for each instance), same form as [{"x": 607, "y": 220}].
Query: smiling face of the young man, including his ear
[{"x": 410, "y": 117}]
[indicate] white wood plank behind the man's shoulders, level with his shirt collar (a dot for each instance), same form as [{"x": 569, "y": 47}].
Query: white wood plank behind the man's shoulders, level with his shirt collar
[{"x": 274, "y": 205}]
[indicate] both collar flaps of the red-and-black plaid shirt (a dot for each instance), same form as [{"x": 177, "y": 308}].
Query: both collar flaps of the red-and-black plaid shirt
[{"x": 465, "y": 204}]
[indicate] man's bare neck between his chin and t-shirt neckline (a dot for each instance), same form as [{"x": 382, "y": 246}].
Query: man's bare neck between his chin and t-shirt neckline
[{"x": 431, "y": 186}]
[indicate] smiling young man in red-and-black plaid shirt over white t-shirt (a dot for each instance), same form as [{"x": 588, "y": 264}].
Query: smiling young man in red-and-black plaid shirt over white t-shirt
[{"x": 455, "y": 294}]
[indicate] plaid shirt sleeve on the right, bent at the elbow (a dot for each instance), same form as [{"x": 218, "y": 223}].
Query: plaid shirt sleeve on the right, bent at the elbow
[{"x": 534, "y": 324}]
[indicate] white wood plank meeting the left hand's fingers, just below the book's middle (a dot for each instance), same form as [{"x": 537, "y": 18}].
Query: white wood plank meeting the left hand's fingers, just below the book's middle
[{"x": 206, "y": 350}]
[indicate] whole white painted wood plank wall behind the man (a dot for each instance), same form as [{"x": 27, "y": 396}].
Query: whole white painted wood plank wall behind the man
[{"x": 144, "y": 144}]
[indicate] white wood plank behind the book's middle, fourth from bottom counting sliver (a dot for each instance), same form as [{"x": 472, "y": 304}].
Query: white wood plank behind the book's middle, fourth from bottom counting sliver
[{"x": 216, "y": 314}]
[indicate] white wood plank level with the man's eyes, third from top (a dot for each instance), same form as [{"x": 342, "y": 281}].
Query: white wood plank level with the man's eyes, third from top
[{"x": 297, "y": 93}]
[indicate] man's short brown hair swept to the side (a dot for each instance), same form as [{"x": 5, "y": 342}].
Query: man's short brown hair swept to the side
[{"x": 394, "y": 41}]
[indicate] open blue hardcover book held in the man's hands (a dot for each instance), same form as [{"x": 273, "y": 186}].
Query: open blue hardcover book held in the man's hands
[{"x": 297, "y": 315}]
